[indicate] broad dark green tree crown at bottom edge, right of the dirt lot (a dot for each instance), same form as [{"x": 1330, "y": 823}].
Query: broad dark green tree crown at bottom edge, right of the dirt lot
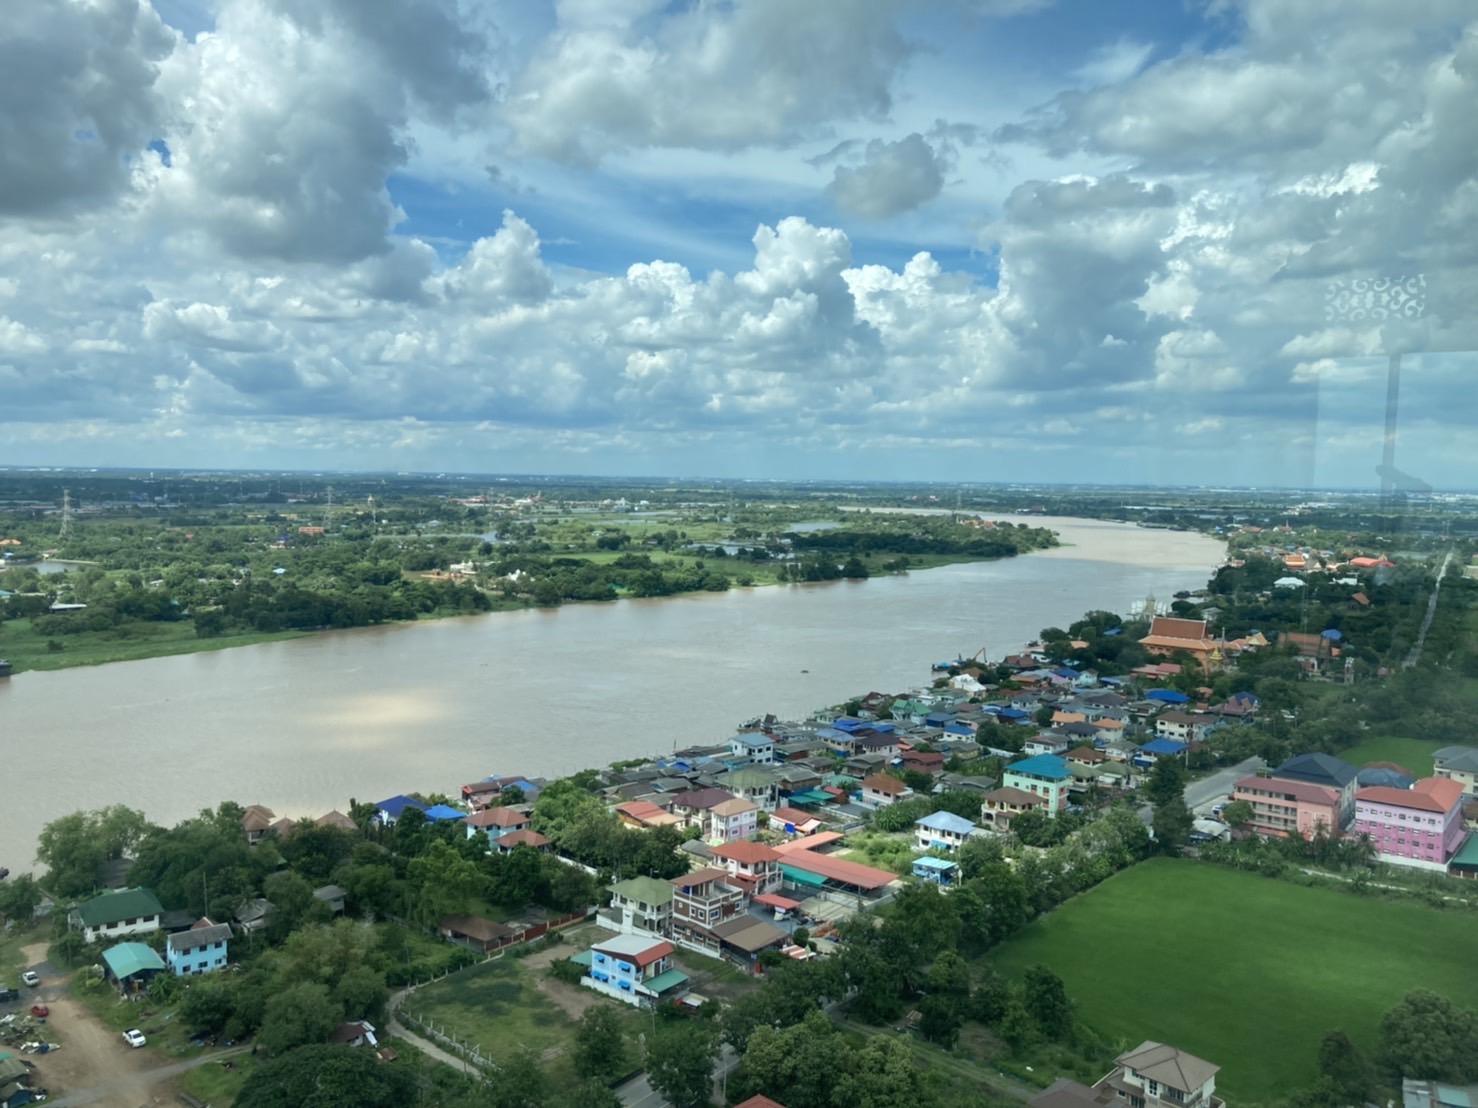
[{"x": 327, "y": 1078}]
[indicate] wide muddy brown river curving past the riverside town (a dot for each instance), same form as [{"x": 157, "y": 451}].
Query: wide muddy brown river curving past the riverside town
[{"x": 307, "y": 725}]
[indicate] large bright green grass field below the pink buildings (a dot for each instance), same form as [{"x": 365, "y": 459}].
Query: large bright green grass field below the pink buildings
[{"x": 1244, "y": 971}]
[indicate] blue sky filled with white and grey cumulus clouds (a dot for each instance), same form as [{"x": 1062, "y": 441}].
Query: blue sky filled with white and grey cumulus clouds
[{"x": 1149, "y": 242}]
